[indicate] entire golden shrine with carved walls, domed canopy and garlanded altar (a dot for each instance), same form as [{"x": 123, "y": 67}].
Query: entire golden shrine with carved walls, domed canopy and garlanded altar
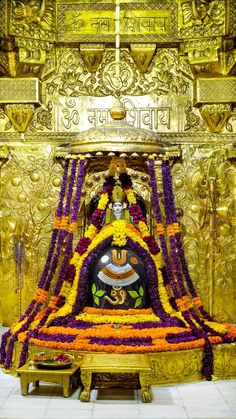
[{"x": 172, "y": 126}]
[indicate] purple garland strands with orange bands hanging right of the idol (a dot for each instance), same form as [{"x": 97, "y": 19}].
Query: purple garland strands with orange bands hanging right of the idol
[{"x": 177, "y": 271}]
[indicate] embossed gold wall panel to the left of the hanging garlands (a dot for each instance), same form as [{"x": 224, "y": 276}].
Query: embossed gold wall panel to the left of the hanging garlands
[{"x": 30, "y": 183}]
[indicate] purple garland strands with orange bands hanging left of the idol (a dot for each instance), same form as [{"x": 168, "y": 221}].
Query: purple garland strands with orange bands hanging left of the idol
[{"x": 65, "y": 224}]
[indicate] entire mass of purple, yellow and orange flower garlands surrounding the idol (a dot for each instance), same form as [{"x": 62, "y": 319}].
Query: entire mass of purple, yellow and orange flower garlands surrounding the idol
[{"x": 176, "y": 319}]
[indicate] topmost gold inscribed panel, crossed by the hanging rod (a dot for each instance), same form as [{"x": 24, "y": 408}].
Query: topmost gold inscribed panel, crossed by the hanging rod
[{"x": 155, "y": 21}]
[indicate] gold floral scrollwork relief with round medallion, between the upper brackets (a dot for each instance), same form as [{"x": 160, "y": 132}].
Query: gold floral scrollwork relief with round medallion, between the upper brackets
[{"x": 73, "y": 78}]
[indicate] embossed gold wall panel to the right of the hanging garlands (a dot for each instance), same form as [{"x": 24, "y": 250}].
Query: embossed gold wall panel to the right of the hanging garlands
[{"x": 204, "y": 187}]
